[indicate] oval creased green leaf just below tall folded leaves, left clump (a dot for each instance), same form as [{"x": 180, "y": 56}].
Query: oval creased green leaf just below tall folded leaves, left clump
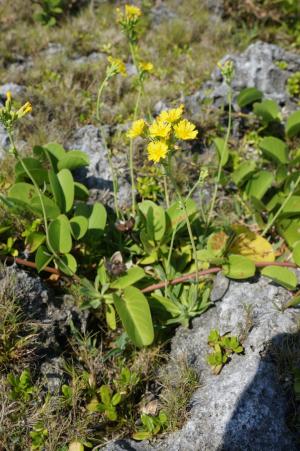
[{"x": 60, "y": 235}]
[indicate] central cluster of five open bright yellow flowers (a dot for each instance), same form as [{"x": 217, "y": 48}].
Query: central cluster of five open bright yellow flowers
[{"x": 163, "y": 132}]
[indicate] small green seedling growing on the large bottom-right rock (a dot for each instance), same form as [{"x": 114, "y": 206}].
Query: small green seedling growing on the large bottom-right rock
[{"x": 223, "y": 347}]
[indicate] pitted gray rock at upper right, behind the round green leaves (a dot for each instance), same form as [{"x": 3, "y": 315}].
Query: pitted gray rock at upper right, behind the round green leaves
[{"x": 257, "y": 66}]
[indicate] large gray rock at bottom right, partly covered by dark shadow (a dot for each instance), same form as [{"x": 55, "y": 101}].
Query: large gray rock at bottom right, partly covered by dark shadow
[{"x": 245, "y": 406}]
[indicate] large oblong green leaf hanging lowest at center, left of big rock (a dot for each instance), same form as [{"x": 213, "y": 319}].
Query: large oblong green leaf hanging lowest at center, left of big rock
[{"x": 134, "y": 311}]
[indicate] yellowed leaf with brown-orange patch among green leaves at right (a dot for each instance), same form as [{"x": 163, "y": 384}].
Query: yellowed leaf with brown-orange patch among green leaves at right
[{"x": 251, "y": 245}]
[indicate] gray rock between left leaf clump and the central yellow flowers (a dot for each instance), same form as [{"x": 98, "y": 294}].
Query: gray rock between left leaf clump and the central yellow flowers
[{"x": 98, "y": 176}]
